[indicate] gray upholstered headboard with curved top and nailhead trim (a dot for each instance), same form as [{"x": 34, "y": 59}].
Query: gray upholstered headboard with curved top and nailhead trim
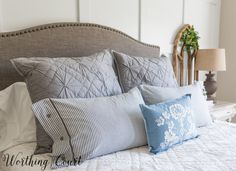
[{"x": 64, "y": 40}]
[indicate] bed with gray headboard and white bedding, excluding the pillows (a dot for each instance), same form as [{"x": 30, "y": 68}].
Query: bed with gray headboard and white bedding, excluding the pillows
[{"x": 215, "y": 149}]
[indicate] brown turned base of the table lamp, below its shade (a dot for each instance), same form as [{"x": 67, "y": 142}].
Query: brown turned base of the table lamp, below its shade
[{"x": 210, "y": 86}]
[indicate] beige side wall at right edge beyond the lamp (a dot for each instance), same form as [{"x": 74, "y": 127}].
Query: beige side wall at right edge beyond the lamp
[{"x": 227, "y": 80}]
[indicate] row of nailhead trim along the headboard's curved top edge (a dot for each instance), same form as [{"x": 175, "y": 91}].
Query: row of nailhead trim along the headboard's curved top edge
[{"x": 57, "y": 25}]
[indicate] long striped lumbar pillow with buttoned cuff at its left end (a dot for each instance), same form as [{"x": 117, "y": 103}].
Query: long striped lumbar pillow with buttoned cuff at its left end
[{"x": 86, "y": 128}]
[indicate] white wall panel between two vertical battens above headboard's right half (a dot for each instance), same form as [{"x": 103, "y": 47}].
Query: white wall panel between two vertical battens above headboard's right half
[{"x": 120, "y": 14}]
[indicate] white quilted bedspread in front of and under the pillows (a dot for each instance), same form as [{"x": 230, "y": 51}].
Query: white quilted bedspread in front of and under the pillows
[{"x": 214, "y": 150}]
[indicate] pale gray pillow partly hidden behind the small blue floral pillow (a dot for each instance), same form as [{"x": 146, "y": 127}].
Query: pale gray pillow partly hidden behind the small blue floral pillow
[{"x": 152, "y": 95}]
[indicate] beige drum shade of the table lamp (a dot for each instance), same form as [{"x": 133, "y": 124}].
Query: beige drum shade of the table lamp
[{"x": 210, "y": 60}]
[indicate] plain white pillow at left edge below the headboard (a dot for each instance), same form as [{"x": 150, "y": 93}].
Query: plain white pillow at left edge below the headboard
[{"x": 17, "y": 124}]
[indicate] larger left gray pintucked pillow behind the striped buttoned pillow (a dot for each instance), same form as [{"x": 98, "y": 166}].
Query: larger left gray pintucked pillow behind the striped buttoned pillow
[{"x": 66, "y": 77}]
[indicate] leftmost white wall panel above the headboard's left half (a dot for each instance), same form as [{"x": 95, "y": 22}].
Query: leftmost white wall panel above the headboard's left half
[{"x": 18, "y": 14}]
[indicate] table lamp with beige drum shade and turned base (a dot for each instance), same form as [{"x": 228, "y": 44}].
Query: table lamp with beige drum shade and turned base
[{"x": 210, "y": 60}]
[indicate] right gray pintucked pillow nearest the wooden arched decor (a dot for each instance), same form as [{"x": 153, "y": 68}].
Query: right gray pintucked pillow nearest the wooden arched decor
[{"x": 134, "y": 71}]
